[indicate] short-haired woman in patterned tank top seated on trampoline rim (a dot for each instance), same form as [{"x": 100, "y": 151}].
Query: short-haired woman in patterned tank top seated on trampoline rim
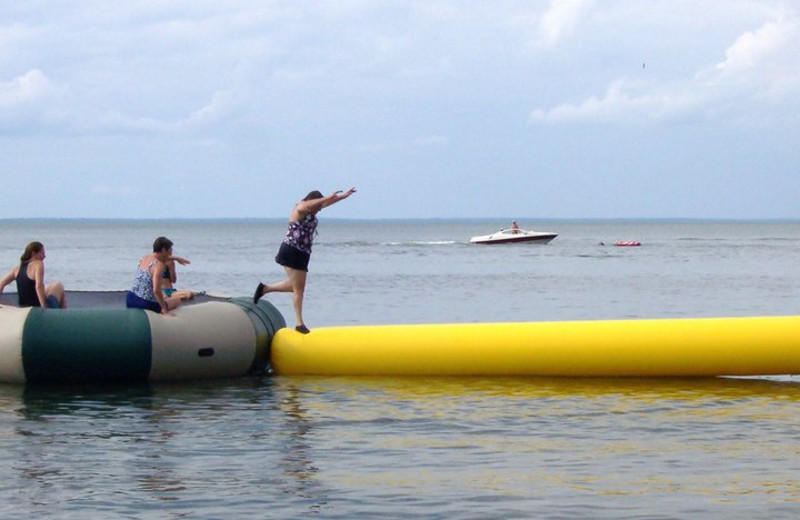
[{"x": 146, "y": 292}]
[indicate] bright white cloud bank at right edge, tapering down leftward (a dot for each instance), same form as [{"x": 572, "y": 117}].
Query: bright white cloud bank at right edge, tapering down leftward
[{"x": 761, "y": 69}]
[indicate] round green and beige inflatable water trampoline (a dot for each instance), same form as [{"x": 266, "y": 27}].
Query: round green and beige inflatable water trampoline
[{"x": 99, "y": 340}]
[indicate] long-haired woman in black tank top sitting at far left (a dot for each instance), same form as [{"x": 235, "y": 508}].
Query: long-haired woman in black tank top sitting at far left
[{"x": 29, "y": 275}]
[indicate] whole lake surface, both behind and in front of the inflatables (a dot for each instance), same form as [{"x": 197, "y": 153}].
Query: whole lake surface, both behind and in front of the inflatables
[{"x": 291, "y": 447}]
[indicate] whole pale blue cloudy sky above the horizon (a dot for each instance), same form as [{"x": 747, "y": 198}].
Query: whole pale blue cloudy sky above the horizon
[{"x": 538, "y": 109}]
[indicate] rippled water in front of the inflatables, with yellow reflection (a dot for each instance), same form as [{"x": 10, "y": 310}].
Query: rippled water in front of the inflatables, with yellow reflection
[{"x": 433, "y": 448}]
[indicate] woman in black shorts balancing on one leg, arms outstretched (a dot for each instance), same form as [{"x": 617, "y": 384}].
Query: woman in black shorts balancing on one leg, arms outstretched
[{"x": 295, "y": 250}]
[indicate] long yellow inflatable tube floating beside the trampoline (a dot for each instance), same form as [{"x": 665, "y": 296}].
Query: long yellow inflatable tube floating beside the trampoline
[{"x": 665, "y": 347}]
